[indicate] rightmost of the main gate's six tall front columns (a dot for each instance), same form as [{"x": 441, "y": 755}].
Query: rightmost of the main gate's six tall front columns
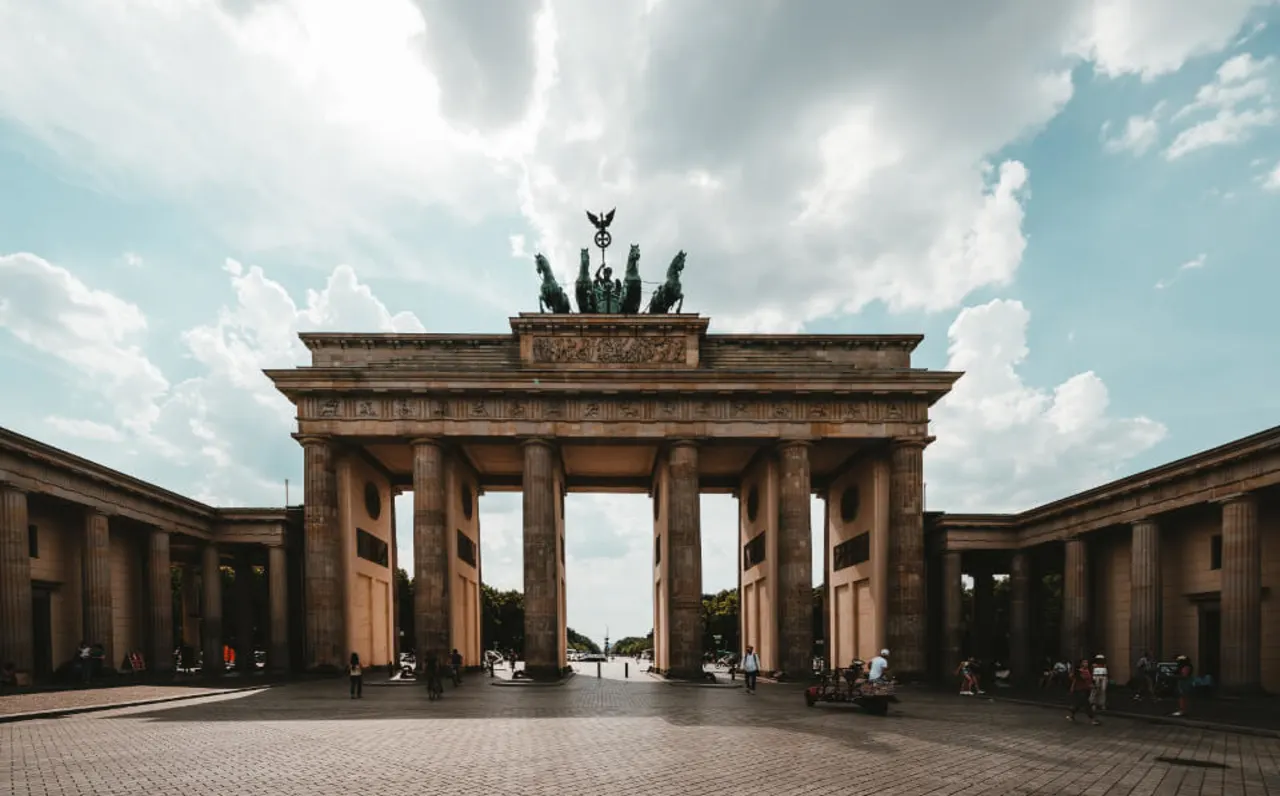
[{"x": 907, "y": 632}]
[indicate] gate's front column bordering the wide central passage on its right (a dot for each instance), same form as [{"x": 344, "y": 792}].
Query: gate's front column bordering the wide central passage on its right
[{"x": 684, "y": 565}]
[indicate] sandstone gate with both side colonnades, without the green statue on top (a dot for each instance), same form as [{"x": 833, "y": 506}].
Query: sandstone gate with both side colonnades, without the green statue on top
[{"x": 1180, "y": 560}]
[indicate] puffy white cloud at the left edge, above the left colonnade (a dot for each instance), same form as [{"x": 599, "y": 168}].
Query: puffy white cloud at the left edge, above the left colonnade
[{"x": 97, "y": 336}]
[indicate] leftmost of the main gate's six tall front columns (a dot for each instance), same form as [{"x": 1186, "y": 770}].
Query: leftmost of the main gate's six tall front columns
[{"x": 326, "y": 641}]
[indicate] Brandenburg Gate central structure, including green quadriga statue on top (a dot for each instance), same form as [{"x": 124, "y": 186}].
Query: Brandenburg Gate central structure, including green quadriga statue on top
[{"x": 616, "y": 400}]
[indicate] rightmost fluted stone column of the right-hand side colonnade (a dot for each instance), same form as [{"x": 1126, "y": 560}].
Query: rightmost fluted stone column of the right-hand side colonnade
[{"x": 1242, "y": 596}]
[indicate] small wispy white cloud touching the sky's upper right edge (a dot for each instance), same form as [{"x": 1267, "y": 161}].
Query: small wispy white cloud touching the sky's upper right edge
[{"x": 1238, "y": 98}]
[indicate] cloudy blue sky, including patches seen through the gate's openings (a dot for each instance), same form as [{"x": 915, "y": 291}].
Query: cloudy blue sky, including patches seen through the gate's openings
[{"x": 1076, "y": 203}]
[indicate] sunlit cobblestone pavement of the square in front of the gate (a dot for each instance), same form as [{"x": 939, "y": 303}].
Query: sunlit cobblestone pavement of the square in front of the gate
[{"x": 604, "y": 736}]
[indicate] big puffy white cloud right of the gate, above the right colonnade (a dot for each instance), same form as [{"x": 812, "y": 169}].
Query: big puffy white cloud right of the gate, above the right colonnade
[{"x": 1008, "y": 446}]
